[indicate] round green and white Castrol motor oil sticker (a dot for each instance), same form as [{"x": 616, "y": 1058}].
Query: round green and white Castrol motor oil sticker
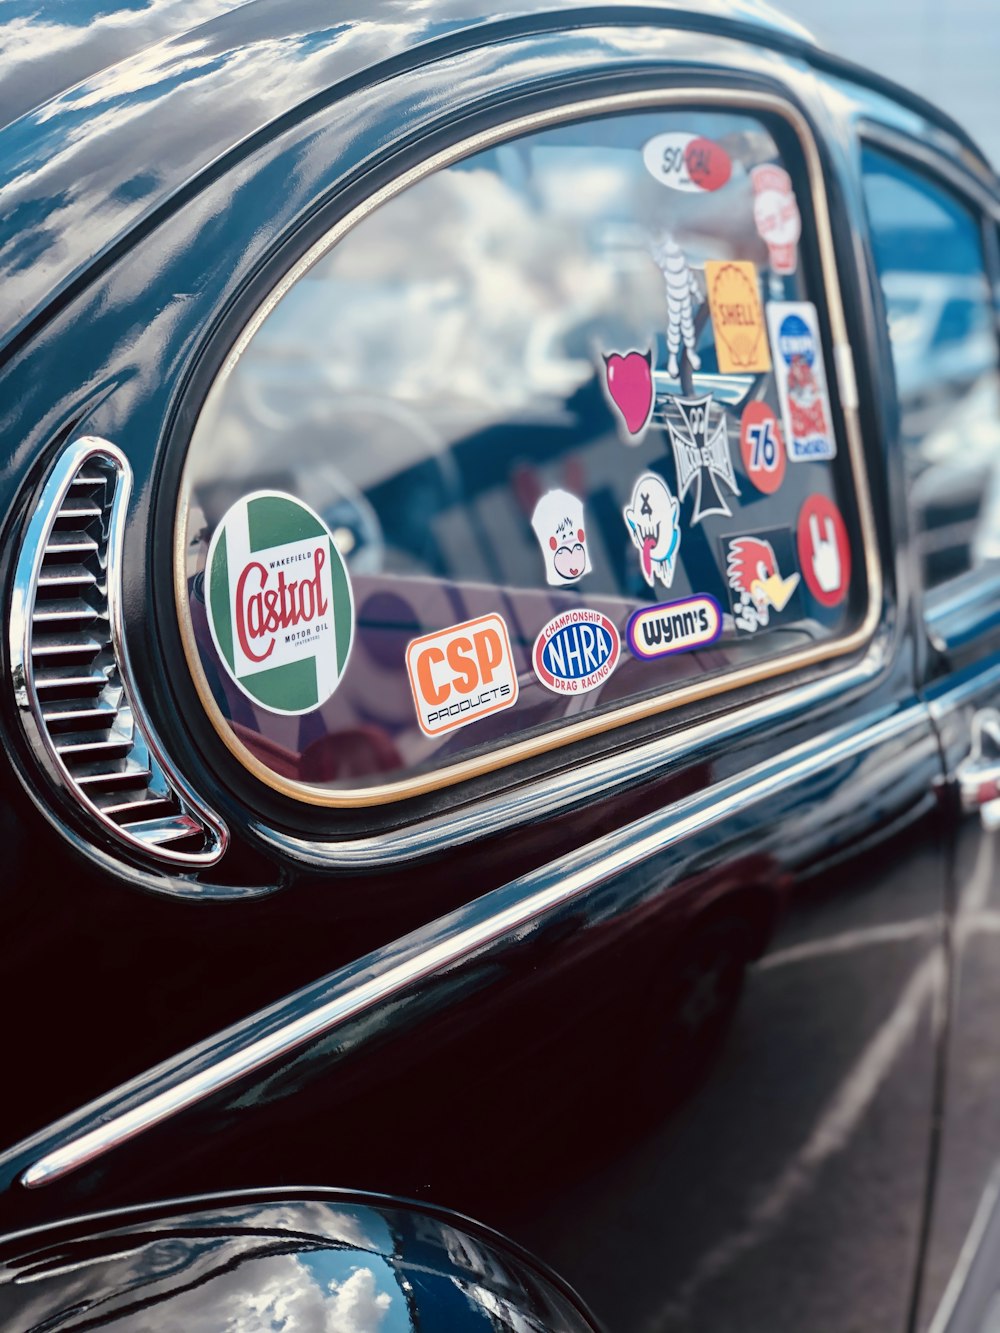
[{"x": 279, "y": 602}]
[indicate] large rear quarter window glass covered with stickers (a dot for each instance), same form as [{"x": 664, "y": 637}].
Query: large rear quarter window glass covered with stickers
[{"x": 537, "y": 395}]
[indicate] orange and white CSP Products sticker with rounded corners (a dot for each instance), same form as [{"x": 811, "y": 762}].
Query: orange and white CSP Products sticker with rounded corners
[{"x": 462, "y": 674}]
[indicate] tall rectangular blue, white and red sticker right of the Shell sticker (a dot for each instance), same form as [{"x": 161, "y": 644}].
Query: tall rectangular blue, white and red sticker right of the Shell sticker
[{"x": 802, "y": 381}]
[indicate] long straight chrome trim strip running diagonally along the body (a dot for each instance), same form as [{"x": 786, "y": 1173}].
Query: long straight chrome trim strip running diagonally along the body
[{"x": 454, "y": 939}]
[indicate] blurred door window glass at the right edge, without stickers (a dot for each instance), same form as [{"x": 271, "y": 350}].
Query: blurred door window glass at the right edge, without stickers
[{"x": 930, "y": 257}]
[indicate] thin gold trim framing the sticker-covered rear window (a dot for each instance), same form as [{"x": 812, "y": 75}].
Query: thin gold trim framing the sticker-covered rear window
[{"x": 843, "y": 374}]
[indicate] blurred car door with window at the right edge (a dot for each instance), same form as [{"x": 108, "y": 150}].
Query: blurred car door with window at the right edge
[{"x": 934, "y": 235}]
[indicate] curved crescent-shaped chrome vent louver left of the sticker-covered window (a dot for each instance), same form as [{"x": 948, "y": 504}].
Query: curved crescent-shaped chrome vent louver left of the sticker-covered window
[{"x": 71, "y": 676}]
